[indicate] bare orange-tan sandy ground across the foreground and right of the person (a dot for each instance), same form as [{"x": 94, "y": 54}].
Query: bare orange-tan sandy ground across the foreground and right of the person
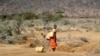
[{"x": 90, "y": 48}]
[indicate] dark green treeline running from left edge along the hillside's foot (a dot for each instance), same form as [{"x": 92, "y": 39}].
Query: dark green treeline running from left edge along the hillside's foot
[{"x": 27, "y": 16}]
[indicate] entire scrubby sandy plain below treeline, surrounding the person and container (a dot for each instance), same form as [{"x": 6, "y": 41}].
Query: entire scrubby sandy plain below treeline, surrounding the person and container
[{"x": 75, "y": 37}]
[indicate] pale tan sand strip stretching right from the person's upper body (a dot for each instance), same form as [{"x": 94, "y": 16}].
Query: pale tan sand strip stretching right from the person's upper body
[{"x": 91, "y": 36}]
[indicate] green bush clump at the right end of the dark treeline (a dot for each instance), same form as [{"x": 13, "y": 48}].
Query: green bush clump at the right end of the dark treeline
[{"x": 47, "y": 16}]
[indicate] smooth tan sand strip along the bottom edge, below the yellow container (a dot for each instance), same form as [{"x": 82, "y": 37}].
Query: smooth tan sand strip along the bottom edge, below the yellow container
[{"x": 16, "y": 50}]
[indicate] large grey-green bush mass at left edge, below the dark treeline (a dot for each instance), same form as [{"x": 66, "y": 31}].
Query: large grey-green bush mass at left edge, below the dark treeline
[{"x": 9, "y": 29}]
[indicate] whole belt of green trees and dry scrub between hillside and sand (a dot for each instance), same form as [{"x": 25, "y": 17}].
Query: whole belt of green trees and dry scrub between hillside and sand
[{"x": 12, "y": 25}]
